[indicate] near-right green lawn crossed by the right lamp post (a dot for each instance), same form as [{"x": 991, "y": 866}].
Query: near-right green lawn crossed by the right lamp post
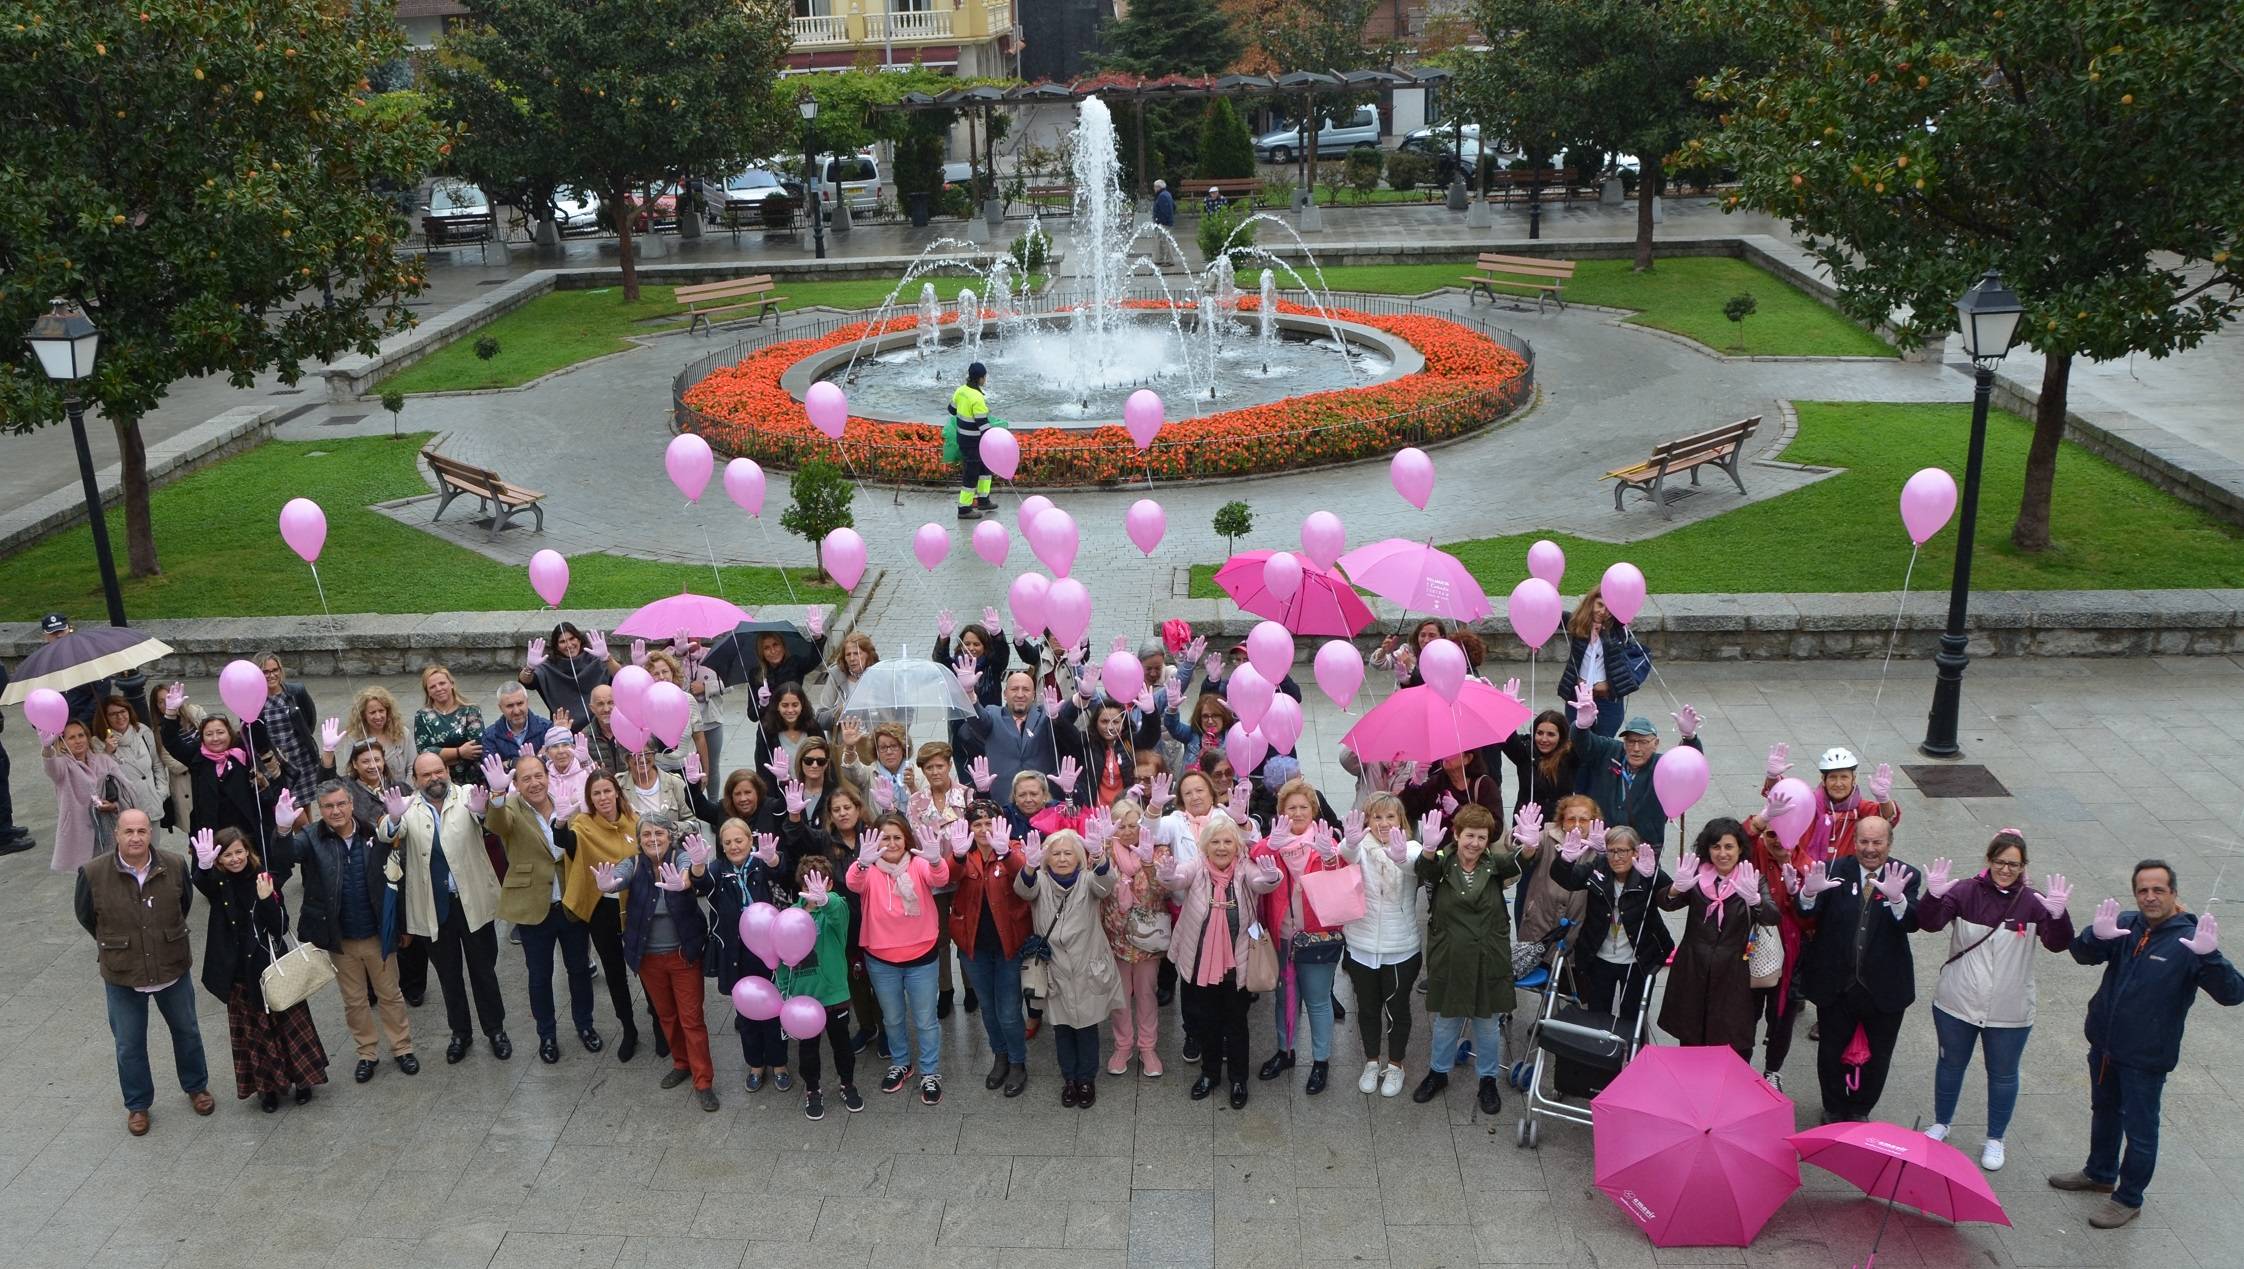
[{"x": 1846, "y": 532}]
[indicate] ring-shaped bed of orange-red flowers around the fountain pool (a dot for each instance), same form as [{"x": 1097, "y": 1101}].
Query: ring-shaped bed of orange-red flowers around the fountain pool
[{"x": 1469, "y": 382}]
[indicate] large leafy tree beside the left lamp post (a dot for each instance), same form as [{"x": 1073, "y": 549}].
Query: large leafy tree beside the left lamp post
[{"x": 196, "y": 174}]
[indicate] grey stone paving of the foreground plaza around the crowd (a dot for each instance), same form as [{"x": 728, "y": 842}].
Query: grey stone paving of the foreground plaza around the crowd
[{"x": 587, "y": 1163}]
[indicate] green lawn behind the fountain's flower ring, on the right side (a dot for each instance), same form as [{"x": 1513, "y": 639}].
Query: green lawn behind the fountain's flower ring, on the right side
[{"x": 1682, "y": 295}]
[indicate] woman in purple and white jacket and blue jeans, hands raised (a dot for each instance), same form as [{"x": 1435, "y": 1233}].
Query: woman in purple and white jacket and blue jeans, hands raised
[{"x": 1987, "y": 985}]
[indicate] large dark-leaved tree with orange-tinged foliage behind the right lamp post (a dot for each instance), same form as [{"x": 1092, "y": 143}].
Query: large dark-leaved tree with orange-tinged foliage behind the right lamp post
[{"x": 2086, "y": 151}]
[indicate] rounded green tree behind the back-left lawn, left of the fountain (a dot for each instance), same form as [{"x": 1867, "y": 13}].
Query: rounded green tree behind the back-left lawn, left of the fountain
[{"x": 618, "y": 98}]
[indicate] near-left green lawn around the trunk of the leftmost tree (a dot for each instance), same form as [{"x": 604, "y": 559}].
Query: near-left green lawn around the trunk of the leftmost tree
[{"x": 221, "y": 548}]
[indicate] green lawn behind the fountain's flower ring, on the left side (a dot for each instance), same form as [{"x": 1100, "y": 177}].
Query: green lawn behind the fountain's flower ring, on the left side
[{"x": 564, "y": 328}]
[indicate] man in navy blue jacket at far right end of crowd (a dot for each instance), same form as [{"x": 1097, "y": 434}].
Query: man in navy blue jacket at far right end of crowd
[{"x": 2158, "y": 961}]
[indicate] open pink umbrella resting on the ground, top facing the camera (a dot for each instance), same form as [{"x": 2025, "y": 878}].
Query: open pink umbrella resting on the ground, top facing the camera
[{"x": 1693, "y": 1147}]
